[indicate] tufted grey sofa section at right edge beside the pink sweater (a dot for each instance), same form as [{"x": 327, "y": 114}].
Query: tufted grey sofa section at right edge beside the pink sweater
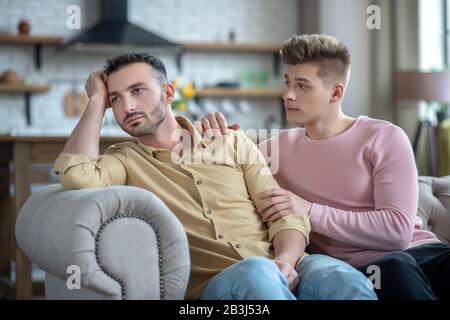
[{"x": 434, "y": 205}]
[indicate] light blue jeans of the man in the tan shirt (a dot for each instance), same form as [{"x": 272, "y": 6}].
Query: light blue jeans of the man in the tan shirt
[{"x": 258, "y": 278}]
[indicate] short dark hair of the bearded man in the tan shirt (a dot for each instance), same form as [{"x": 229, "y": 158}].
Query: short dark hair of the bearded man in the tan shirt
[{"x": 116, "y": 63}]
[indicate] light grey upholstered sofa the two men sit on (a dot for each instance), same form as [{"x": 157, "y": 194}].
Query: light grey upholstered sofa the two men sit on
[{"x": 128, "y": 245}]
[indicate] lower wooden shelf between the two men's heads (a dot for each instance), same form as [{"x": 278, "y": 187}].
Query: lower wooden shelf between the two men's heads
[{"x": 239, "y": 93}]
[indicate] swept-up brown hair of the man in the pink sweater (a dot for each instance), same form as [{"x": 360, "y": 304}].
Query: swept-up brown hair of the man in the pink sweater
[{"x": 329, "y": 53}]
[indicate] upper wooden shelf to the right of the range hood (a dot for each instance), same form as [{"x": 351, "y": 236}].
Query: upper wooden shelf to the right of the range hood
[{"x": 238, "y": 47}]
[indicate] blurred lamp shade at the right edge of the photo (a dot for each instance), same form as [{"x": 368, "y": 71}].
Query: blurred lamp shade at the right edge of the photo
[{"x": 416, "y": 85}]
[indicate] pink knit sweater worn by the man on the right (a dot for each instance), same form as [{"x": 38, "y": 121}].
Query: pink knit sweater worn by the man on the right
[{"x": 363, "y": 186}]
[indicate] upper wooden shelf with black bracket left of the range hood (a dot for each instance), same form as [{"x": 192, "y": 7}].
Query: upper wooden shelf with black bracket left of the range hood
[{"x": 36, "y": 41}]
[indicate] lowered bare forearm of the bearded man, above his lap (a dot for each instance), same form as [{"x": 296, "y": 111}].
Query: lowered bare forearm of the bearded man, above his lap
[{"x": 289, "y": 245}]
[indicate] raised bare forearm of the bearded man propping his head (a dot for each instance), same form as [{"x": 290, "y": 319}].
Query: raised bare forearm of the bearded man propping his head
[{"x": 86, "y": 135}]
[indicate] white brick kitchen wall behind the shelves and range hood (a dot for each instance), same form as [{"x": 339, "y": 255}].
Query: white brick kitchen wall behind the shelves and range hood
[{"x": 179, "y": 20}]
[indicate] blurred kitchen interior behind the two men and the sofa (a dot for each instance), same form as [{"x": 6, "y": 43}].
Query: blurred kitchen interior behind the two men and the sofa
[{"x": 223, "y": 56}]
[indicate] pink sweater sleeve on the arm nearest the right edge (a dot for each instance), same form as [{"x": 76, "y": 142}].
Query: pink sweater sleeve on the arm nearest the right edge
[{"x": 390, "y": 225}]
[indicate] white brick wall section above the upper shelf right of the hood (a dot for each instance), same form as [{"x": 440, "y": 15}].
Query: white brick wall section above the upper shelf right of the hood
[{"x": 203, "y": 20}]
